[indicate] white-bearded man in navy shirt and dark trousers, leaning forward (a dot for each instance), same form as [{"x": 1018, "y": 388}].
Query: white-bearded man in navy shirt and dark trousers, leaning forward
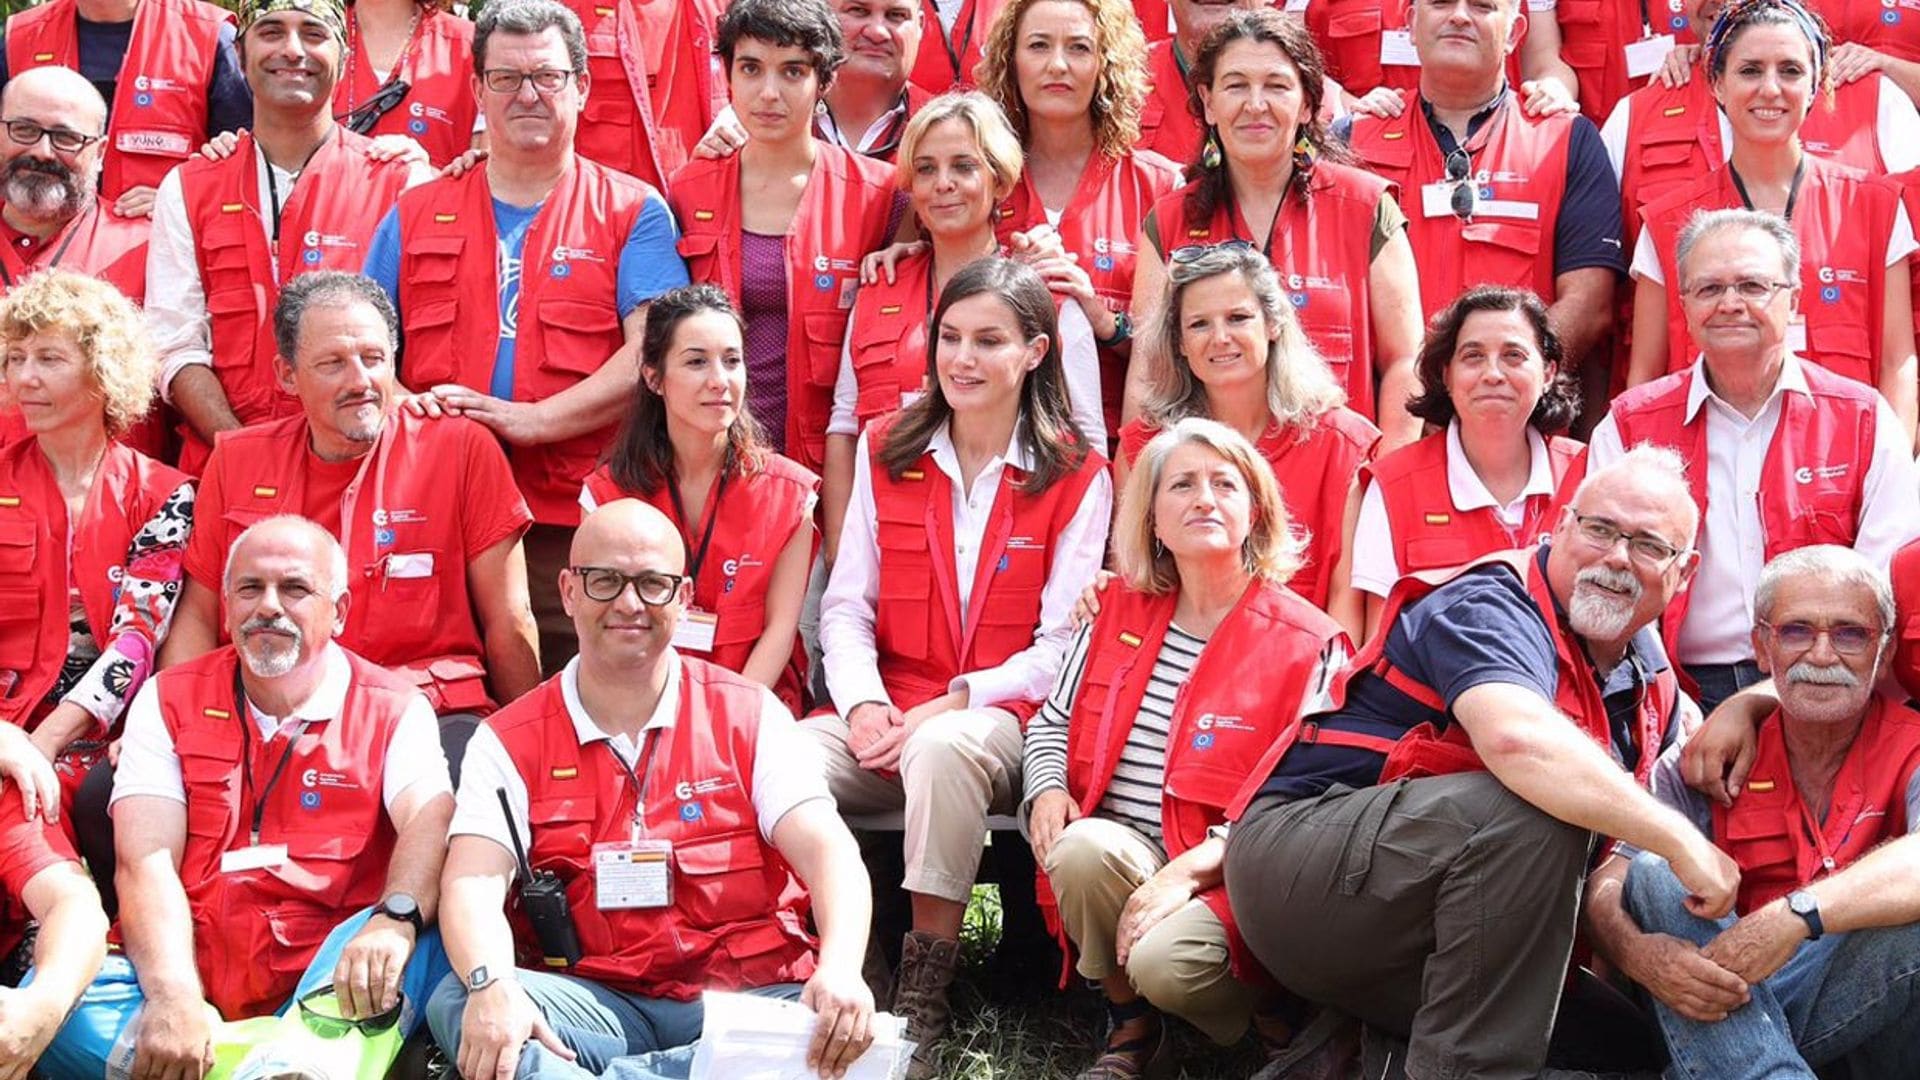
[{"x": 1418, "y": 852}]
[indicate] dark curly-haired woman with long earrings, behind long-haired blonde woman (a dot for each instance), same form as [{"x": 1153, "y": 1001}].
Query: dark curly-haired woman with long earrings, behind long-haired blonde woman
[{"x": 1272, "y": 178}]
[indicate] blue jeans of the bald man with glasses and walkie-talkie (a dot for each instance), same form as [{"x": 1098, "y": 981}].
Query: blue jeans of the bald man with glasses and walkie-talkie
[{"x": 613, "y": 1035}]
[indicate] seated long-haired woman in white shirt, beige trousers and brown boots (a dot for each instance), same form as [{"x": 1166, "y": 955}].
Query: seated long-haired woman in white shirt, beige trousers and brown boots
[{"x": 976, "y": 518}]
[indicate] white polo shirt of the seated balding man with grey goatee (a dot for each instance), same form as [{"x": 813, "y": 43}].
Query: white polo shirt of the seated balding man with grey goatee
[{"x": 151, "y": 766}]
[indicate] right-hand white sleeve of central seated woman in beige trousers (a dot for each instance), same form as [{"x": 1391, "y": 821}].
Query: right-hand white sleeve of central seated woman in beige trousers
[{"x": 1030, "y": 674}]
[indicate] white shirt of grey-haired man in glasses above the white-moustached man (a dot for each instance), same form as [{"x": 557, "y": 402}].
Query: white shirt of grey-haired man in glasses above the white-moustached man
[{"x": 1733, "y": 547}]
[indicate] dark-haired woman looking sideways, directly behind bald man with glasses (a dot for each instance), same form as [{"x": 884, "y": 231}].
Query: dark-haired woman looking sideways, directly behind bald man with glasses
[{"x": 746, "y": 514}]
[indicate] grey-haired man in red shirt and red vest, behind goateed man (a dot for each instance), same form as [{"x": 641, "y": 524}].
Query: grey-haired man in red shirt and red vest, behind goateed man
[{"x": 425, "y": 510}]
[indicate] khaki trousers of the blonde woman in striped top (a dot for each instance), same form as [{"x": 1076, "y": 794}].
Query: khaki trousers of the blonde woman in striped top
[{"x": 1182, "y": 964}]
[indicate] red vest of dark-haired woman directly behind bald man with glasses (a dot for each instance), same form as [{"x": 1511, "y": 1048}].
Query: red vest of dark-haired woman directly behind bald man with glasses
[{"x": 750, "y": 529}]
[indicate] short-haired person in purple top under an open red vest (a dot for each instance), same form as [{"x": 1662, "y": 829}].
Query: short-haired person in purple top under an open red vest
[{"x": 784, "y": 224}]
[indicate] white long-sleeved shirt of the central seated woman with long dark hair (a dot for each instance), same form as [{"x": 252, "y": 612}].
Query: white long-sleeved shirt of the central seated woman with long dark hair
[{"x": 853, "y": 593}]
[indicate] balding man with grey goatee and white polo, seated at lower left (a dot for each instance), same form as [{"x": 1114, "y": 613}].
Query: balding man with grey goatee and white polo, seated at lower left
[{"x": 281, "y": 814}]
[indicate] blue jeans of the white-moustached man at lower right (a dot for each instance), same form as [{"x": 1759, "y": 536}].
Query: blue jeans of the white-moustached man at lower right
[{"x": 1846, "y": 996}]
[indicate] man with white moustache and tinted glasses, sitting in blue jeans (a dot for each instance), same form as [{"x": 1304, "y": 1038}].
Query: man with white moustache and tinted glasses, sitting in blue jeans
[{"x": 1823, "y": 962}]
